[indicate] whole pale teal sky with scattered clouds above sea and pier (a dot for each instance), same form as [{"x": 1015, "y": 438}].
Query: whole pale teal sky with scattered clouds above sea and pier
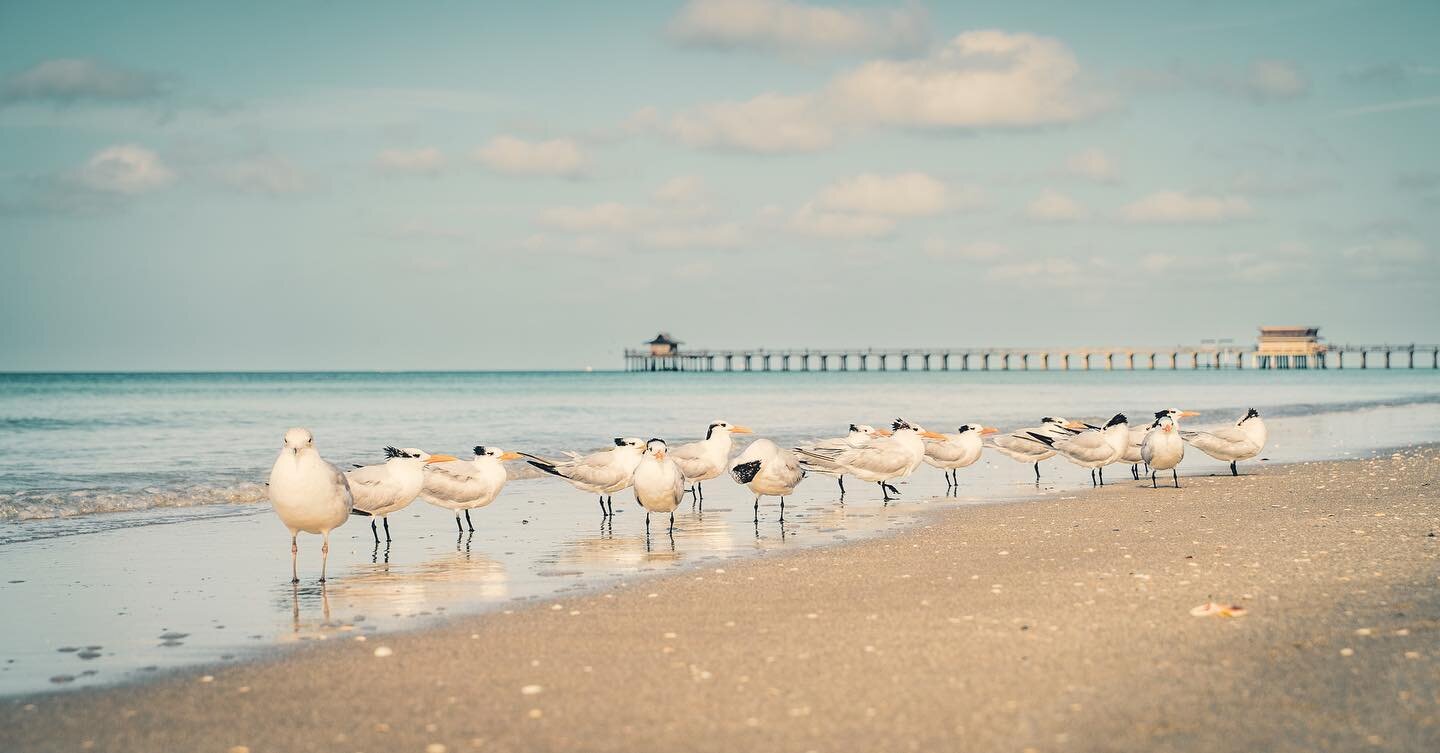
[{"x": 433, "y": 186}]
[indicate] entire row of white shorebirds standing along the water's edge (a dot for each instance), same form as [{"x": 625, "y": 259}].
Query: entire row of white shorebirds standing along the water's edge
[{"x": 315, "y": 496}]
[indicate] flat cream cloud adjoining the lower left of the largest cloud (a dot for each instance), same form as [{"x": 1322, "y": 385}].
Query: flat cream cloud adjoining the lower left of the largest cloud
[{"x": 770, "y": 123}]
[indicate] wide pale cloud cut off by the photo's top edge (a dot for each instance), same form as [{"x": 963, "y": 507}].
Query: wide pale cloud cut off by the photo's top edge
[{"x": 796, "y": 28}]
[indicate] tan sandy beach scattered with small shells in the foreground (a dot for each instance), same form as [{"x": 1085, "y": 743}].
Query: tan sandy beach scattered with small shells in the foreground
[{"x": 1052, "y": 626}]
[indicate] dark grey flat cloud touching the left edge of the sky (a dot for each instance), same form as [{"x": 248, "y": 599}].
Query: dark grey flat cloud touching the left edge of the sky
[{"x": 71, "y": 80}]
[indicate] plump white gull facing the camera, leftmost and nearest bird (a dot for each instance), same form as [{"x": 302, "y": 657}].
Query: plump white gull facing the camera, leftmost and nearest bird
[{"x": 309, "y": 496}]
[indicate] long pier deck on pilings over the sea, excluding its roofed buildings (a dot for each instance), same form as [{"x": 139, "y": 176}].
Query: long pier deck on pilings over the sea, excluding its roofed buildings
[{"x": 1082, "y": 359}]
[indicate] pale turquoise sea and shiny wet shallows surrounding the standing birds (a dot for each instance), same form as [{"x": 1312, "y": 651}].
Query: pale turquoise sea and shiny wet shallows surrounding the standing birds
[{"x": 138, "y": 542}]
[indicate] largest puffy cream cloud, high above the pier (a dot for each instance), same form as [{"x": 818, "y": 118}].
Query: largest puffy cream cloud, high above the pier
[{"x": 981, "y": 80}]
